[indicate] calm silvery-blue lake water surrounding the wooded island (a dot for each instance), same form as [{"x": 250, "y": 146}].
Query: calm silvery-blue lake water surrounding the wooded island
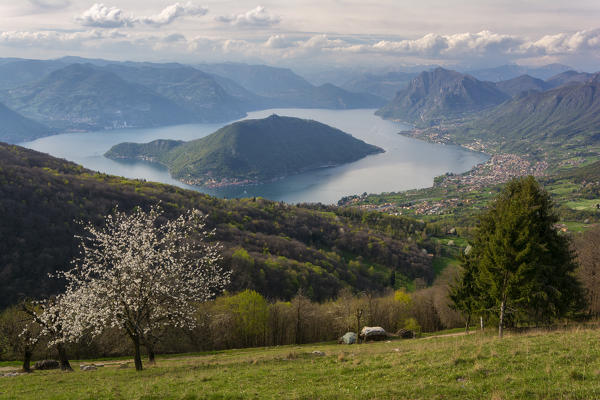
[{"x": 406, "y": 164}]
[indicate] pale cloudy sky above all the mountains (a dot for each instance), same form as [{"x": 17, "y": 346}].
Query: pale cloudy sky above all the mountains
[{"x": 308, "y": 34}]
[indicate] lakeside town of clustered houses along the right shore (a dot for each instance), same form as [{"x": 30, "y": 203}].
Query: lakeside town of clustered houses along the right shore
[{"x": 498, "y": 169}]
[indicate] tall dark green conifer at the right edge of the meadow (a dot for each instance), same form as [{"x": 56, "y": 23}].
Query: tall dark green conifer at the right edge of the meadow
[{"x": 520, "y": 265}]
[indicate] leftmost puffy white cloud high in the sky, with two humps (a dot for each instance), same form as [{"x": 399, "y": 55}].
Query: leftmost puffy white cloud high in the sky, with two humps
[{"x": 102, "y": 16}]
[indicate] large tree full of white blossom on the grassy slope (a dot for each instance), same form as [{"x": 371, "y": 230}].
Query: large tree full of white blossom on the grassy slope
[{"x": 140, "y": 275}]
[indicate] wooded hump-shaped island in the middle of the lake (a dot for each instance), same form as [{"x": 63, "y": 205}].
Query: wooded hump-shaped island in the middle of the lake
[{"x": 251, "y": 151}]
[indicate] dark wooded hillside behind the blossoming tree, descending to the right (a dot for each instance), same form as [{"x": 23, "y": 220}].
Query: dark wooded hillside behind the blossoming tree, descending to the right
[{"x": 273, "y": 247}]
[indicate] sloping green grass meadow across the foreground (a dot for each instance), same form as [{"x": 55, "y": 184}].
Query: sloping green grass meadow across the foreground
[{"x": 528, "y": 366}]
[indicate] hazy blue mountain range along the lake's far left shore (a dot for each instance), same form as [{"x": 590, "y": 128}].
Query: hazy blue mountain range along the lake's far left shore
[{"x": 72, "y": 93}]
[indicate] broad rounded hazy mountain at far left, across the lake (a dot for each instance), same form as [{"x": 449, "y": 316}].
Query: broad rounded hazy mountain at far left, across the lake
[{"x": 84, "y": 97}]
